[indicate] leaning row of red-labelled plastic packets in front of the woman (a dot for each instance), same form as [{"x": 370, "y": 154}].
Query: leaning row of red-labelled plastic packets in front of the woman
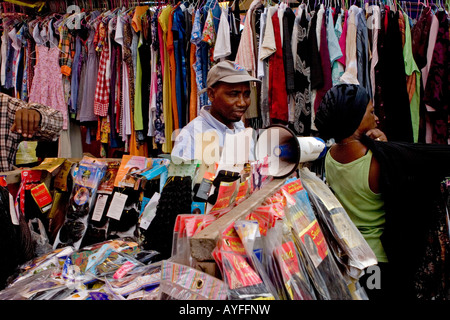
[{"x": 282, "y": 250}]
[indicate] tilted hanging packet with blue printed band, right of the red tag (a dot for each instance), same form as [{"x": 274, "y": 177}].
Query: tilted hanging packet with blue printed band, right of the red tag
[{"x": 85, "y": 183}]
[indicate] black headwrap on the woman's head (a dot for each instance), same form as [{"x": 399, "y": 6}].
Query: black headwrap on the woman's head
[{"x": 341, "y": 111}]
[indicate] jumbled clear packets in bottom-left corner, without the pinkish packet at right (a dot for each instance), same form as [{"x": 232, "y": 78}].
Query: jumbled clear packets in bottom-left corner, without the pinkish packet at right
[{"x": 113, "y": 270}]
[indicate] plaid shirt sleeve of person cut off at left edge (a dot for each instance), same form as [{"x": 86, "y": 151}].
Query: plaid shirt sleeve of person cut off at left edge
[{"x": 50, "y": 126}]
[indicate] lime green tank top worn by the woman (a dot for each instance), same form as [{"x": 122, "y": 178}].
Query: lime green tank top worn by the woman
[{"x": 350, "y": 183}]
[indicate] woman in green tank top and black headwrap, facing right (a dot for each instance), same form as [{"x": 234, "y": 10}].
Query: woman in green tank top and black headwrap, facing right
[{"x": 390, "y": 190}]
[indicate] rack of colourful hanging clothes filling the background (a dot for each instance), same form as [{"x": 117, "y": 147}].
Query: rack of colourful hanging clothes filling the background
[{"x": 129, "y": 76}]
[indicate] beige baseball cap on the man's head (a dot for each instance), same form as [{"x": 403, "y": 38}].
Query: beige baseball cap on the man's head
[{"x": 229, "y": 72}]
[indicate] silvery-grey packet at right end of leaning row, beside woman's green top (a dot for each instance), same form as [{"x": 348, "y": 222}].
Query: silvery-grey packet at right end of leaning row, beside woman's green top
[{"x": 348, "y": 245}]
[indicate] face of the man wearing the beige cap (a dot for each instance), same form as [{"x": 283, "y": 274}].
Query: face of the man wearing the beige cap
[{"x": 229, "y": 101}]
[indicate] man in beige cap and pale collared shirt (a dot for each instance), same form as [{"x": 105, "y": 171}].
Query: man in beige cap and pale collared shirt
[{"x": 228, "y": 87}]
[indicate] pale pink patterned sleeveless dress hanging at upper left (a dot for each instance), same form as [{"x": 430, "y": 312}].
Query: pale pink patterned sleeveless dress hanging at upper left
[{"x": 47, "y": 85}]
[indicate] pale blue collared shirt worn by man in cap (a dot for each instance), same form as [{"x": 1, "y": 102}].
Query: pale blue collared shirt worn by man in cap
[{"x": 185, "y": 142}]
